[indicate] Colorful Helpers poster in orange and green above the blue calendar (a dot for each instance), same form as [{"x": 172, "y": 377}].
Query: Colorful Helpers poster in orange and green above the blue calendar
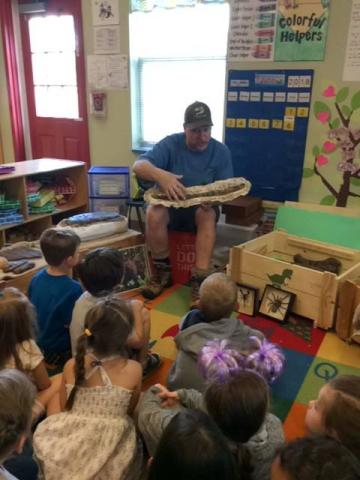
[{"x": 301, "y": 30}]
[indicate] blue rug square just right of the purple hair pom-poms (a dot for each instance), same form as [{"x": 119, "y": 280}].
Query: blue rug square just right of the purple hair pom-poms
[{"x": 296, "y": 367}]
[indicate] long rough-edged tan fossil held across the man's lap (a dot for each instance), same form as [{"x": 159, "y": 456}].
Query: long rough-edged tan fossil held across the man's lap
[{"x": 214, "y": 193}]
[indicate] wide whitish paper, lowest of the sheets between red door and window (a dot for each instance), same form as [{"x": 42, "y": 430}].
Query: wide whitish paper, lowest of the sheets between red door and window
[{"x": 107, "y": 71}]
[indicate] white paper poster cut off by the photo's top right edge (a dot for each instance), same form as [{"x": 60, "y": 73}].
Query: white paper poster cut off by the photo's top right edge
[{"x": 351, "y": 71}]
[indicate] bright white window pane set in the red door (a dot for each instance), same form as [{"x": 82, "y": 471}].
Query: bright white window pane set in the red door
[{"x": 52, "y": 44}]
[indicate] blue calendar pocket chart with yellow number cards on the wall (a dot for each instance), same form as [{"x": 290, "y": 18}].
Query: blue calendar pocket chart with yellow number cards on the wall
[{"x": 267, "y": 114}]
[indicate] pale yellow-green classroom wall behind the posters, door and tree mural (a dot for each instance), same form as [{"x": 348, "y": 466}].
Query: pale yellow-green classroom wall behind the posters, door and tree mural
[{"x": 110, "y": 137}]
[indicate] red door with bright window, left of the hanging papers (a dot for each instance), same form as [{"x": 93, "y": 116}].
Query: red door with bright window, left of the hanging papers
[{"x": 55, "y": 81}]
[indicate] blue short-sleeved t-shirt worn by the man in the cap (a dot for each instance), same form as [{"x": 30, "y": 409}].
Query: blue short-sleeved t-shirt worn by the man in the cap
[{"x": 198, "y": 168}]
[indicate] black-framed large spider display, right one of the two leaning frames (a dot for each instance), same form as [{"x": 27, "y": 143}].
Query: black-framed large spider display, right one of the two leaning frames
[{"x": 276, "y": 303}]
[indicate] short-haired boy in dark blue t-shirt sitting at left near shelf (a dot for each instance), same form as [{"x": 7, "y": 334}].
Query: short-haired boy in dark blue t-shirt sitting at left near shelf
[{"x": 54, "y": 293}]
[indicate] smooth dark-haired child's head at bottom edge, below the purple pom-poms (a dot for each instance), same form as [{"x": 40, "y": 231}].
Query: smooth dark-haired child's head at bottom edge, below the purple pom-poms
[{"x": 192, "y": 447}]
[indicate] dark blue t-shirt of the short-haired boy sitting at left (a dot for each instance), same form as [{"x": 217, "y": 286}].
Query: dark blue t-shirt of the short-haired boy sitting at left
[{"x": 54, "y": 298}]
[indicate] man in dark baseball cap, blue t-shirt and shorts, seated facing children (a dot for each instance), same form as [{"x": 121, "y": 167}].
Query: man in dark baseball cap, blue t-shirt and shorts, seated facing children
[{"x": 182, "y": 160}]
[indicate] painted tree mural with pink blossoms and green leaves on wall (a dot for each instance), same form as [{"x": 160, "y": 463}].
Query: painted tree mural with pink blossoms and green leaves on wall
[{"x": 342, "y": 138}]
